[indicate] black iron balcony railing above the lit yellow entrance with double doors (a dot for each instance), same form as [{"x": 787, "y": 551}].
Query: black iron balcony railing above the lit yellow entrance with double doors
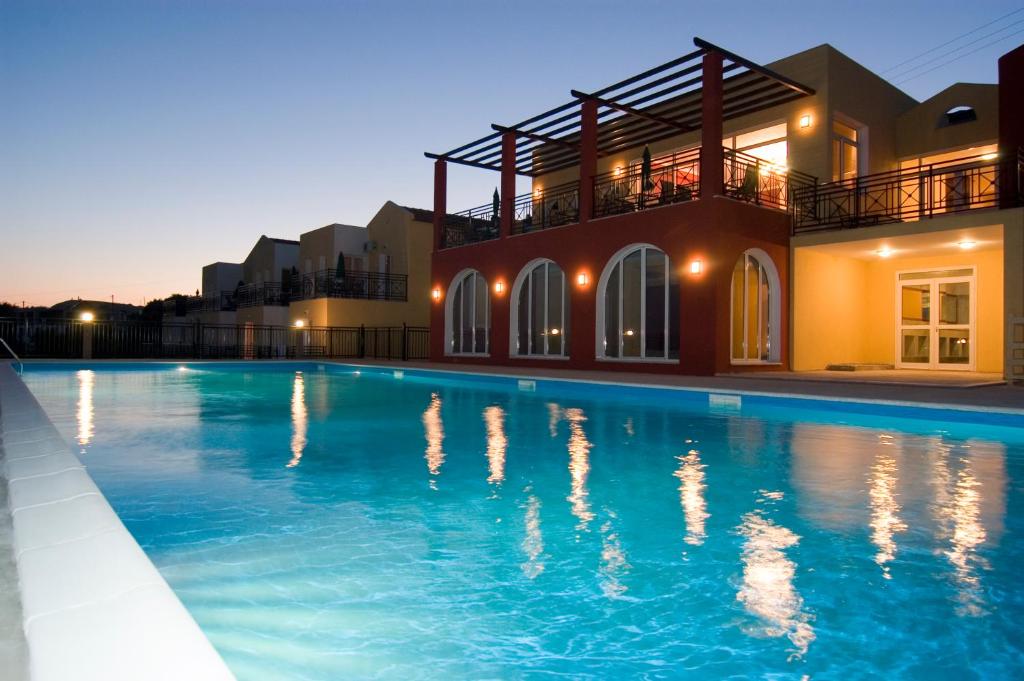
[{"x": 911, "y": 194}]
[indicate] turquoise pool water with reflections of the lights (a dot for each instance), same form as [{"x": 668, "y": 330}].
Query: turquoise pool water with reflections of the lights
[{"x": 330, "y": 525}]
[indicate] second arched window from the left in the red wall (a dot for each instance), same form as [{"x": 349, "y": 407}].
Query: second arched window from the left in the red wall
[{"x": 541, "y": 313}]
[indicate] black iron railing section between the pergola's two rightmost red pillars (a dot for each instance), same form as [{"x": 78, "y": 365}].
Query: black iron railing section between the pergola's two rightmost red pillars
[{"x": 673, "y": 180}]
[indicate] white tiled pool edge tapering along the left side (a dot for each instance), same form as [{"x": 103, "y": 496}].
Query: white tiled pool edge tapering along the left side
[{"x": 94, "y": 605}]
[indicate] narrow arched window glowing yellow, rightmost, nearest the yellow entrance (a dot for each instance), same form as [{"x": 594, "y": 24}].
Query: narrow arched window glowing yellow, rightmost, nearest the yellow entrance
[{"x": 755, "y": 318}]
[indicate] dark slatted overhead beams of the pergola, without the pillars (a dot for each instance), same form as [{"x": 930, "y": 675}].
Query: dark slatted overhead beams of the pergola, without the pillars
[{"x": 656, "y": 105}]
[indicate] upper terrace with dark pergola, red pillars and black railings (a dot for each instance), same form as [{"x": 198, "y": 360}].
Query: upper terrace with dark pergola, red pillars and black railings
[{"x": 695, "y": 93}]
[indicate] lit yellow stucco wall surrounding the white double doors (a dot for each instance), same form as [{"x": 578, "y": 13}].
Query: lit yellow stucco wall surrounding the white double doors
[{"x": 845, "y": 309}]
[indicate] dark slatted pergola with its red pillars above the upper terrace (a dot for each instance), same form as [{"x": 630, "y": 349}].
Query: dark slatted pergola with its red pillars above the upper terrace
[{"x": 697, "y": 92}]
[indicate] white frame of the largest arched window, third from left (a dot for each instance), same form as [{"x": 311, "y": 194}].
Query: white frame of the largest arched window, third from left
[{"x": 601, "y": 344}]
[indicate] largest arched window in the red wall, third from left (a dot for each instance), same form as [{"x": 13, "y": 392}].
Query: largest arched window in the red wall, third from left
[{"x": 638, "y": 307}]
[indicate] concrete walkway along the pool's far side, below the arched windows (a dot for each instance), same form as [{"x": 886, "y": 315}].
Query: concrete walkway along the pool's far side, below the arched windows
[{"x": 1003, "y": 398}]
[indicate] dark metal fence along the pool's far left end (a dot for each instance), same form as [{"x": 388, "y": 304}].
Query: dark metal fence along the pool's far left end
[{"x": 73, "y": 339}]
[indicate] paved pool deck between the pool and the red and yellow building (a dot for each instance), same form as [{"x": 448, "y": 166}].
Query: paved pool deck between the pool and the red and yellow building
[{"x": 893, "y": 388}]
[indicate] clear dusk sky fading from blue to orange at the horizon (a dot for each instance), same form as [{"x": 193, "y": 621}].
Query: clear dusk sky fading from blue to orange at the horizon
[{"x": 143, "y": 141}]
